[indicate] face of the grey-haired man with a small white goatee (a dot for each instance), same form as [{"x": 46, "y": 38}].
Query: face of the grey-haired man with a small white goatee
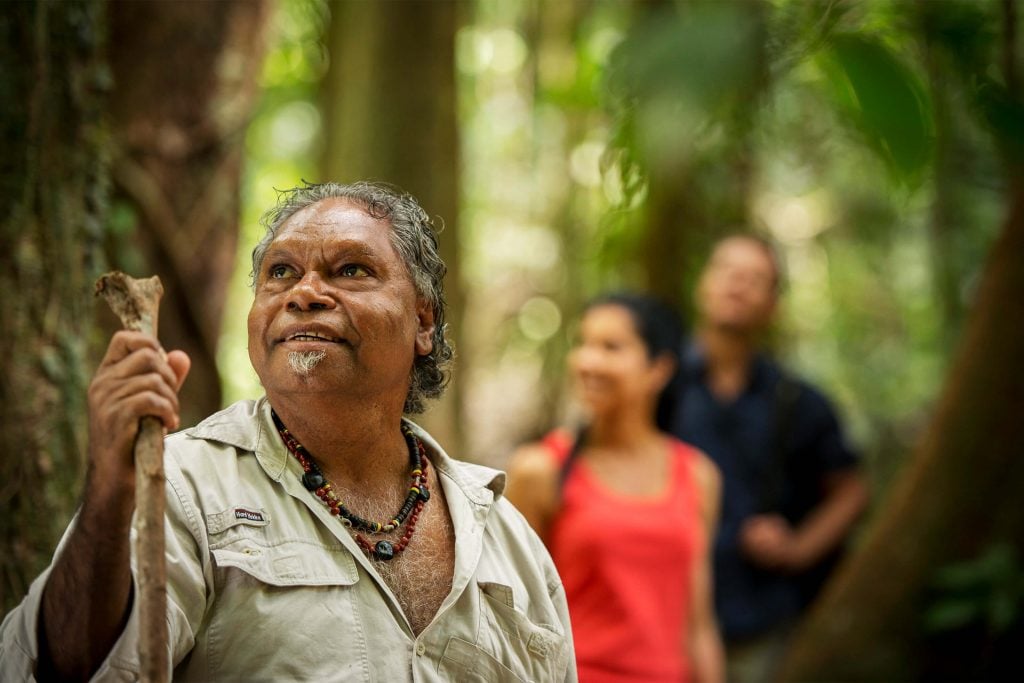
[{"x": 335, "y": 309}]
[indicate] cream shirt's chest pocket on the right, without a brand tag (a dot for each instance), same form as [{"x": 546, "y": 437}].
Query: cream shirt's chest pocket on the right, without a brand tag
[{"x": 510, "y": 647}]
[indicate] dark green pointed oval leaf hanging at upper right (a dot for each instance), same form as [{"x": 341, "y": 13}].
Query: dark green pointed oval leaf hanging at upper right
[{"x": 885, "y": 99}]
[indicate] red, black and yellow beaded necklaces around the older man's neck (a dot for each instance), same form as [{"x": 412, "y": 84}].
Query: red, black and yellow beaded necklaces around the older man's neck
[{"x": 419, "y": 494}]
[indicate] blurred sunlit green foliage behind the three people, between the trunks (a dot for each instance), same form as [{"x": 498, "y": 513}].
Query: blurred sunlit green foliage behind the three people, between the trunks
[{"x": 856, "y": 135}]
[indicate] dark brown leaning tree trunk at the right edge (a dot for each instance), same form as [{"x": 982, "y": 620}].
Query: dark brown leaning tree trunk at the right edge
[{"x": 959, "y": 495}]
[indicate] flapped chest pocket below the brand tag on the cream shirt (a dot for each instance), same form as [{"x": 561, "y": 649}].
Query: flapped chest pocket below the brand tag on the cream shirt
[{"x": 277, "y": 600}]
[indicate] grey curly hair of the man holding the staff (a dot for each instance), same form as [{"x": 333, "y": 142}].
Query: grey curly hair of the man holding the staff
[{"x": 414, "y": 238}]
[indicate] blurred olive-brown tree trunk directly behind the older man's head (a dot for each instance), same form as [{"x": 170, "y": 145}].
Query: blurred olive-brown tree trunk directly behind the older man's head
[{"x": 390, "y": 103}]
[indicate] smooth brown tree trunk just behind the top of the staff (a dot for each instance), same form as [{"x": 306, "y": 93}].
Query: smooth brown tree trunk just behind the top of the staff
[{"x": 186, "y": 76}]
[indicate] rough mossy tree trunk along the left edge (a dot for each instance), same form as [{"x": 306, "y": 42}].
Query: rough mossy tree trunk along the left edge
[{"x": 54, "y": 182}]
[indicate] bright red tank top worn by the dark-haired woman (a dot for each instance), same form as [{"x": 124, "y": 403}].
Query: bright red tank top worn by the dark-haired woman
[{"x": 627, "y": 567}]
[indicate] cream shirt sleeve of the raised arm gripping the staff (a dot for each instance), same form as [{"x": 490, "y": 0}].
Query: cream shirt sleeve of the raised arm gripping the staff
[{"x": 186, "y": 603}]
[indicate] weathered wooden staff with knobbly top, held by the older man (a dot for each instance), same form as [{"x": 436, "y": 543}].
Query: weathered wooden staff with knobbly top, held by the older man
[{"x": 137, "y": 303}]
